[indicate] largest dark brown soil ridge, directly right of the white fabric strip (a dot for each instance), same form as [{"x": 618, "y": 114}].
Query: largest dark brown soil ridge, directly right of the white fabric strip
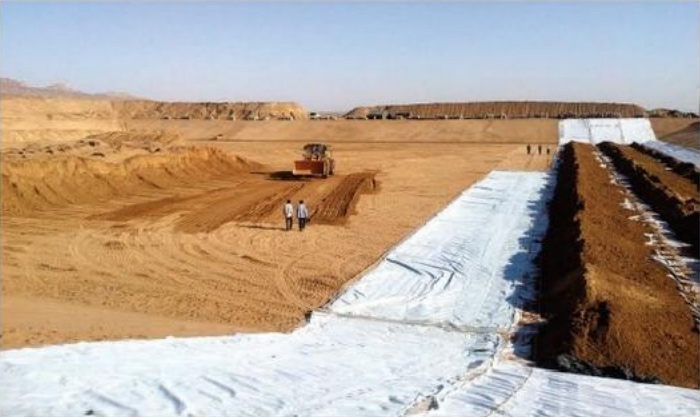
[{"x": 605, "y": 300}]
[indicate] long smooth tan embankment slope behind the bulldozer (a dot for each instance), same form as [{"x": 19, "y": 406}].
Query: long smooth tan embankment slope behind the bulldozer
[{"x": 354, "y": 131}]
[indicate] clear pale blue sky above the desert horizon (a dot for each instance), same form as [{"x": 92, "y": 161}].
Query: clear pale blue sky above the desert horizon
[{"x": 334, "y": 56}]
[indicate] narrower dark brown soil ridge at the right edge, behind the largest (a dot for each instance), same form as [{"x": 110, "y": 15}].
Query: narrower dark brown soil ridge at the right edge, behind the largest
[{"x": 675, "y": 198}]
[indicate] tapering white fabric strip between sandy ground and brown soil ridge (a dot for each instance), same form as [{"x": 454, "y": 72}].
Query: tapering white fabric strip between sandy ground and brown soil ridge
[{"x": 464, "y": 267}]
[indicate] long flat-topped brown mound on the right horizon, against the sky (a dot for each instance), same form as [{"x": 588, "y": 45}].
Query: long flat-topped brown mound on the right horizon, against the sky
[{"x": 502, "y": 109}]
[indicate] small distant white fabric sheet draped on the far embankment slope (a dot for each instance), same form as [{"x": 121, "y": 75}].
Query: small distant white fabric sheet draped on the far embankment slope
[{"x": 623, "y": 131}]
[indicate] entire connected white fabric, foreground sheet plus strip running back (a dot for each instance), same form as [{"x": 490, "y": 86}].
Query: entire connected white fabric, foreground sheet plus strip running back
[{"x": 350, "y": 365}]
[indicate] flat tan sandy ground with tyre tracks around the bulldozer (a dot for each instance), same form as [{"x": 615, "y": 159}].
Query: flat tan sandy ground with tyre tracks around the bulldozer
[{"x": 193, "y": 260}]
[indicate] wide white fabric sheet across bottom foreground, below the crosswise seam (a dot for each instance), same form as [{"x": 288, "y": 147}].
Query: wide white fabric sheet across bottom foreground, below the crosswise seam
[{"x": 332, "y": 366}]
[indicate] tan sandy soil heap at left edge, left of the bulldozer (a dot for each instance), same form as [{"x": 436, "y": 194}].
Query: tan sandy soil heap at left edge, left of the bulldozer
[{"x": 34, "y": 185}]
